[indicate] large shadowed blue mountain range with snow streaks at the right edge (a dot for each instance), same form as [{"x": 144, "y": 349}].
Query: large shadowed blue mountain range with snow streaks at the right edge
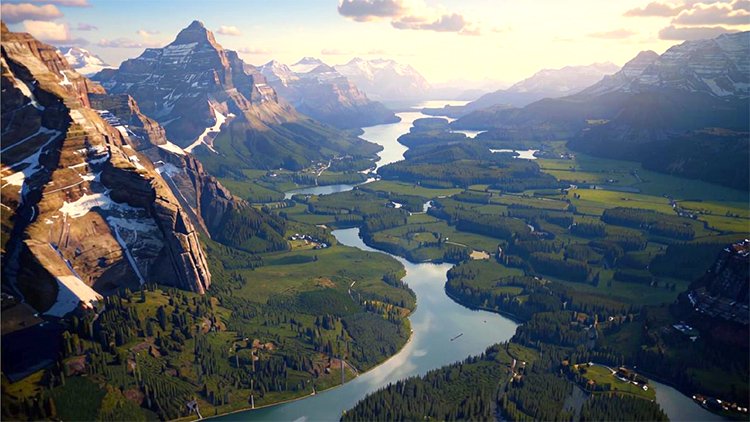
[{"x": 683, "y": 112}]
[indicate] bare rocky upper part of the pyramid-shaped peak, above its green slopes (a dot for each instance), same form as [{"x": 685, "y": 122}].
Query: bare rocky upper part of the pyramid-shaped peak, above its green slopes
[{"x": 194, "y": 76}]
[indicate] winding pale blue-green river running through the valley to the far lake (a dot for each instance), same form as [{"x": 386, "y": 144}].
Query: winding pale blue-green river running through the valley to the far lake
[{"x": 435, "y": 322}]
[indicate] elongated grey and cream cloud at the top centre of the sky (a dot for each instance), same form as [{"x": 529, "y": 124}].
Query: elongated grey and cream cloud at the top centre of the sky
[{"x": 408, "y": 14}]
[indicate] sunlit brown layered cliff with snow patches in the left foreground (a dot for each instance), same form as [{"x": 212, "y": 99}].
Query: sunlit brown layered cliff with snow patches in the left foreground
[{"x": 84, "y": 212}]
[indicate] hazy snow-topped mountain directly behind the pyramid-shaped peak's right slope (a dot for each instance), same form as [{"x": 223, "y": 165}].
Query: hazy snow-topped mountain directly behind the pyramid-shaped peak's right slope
[{"x": 322, "y": 93}]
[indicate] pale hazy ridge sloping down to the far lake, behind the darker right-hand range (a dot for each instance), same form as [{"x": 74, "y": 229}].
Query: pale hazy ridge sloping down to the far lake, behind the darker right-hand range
[{"x": 547, "y": 83}]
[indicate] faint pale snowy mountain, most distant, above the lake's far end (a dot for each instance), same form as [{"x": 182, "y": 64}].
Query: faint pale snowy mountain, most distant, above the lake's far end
[{"x": 385, "y": 79}]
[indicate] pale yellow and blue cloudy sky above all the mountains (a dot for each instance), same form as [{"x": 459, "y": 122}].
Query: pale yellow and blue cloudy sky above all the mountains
[{"x": 445, "y": 40}]
